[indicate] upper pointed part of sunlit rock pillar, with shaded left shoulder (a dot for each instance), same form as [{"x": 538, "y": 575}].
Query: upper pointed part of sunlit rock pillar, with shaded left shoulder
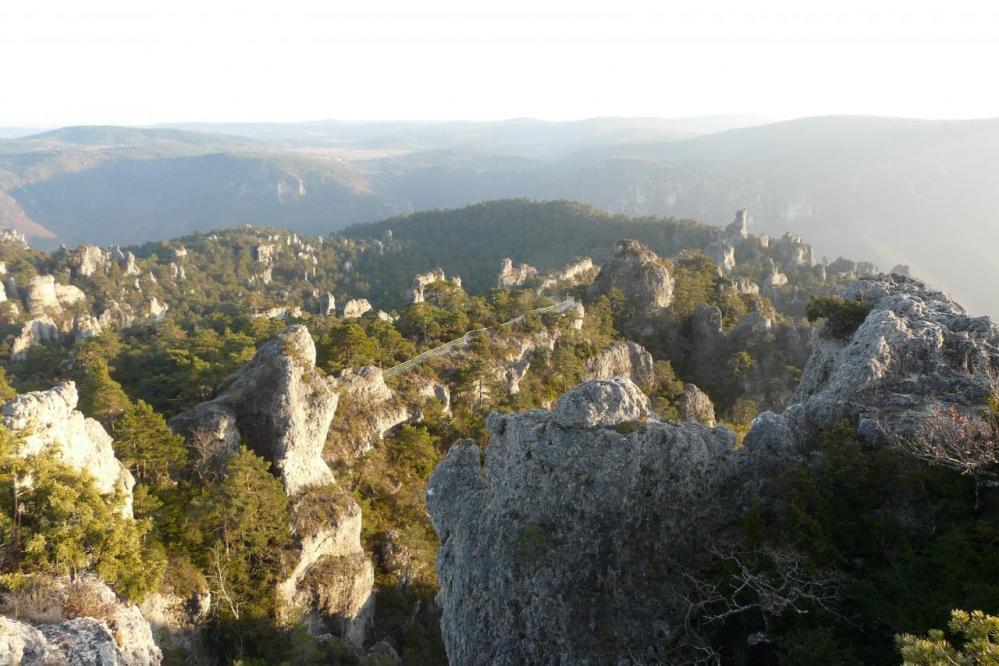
[{"x": 279, "y": 405}]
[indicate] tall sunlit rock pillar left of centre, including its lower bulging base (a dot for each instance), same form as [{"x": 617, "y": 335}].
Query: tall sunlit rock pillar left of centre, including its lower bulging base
[{"x": 282, "y": 407}]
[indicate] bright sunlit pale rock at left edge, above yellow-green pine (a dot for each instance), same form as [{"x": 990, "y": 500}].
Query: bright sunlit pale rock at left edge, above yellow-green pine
[{"x": 49, "y": 418}]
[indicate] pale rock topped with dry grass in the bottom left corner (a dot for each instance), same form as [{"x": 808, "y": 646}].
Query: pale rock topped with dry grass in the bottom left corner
[{"x": 120, "y": 636}]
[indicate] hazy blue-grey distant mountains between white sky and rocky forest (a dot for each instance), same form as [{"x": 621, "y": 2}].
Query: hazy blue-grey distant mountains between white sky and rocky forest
[{"x": 916, "y": 192}]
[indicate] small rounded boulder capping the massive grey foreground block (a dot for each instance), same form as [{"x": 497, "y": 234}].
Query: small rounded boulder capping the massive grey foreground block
[{"x": 602, "y": 403}]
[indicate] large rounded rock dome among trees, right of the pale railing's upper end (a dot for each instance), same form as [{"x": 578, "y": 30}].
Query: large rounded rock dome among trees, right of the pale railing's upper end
[{"x": 639, "y": 274}]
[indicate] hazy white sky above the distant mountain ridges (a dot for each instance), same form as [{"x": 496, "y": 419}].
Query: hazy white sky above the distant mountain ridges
[{"x": 140, "y": 62}]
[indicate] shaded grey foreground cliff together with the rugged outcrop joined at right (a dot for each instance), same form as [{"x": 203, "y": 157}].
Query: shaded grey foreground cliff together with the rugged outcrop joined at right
[{"x": 569, "y": 544}]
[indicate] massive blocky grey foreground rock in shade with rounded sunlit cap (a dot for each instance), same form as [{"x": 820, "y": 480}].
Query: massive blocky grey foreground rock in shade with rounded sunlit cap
[{"x": 560, "y": 530}]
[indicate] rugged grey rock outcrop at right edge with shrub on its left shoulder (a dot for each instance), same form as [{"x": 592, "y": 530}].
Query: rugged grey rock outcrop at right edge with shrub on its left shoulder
[{"x": 916, "y": 350}]
